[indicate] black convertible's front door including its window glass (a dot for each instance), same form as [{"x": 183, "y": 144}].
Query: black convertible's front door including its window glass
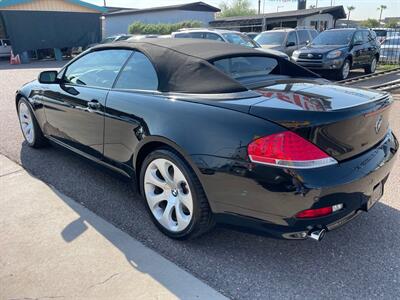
[{"x": 74, "y": 108}]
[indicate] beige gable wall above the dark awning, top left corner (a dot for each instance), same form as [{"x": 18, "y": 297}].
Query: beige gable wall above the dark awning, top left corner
[{"x": 50, "y": 5}]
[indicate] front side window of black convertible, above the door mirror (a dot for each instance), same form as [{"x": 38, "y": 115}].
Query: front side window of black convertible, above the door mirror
[{"x": 96, "y": 69}]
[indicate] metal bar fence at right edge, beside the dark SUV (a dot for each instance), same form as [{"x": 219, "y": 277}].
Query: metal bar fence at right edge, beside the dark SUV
[{"x": 390, "y": 45}]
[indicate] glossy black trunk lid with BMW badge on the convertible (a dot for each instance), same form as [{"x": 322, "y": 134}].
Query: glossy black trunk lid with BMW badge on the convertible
[{"x": 342, "y": 121}]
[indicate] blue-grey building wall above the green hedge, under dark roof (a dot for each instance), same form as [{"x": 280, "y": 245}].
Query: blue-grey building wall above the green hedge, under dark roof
[{"x": 119, "y": 23}]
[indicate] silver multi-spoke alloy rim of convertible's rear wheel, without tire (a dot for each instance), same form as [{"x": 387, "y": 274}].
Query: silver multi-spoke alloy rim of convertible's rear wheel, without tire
[{"x": 168, "y": 195}]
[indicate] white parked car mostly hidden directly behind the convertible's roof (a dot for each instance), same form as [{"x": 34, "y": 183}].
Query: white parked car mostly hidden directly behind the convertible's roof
[{"x": 227, "y": 36}]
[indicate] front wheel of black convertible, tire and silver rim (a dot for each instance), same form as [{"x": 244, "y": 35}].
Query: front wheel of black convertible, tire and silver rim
[{"x": 30, "y": 128}]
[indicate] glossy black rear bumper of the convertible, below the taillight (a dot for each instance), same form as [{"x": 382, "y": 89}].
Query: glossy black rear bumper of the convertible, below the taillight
[{"x": 267, "y": 198}]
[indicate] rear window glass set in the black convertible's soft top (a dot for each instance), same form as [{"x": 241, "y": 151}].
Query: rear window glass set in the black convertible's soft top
[{"x": 243, "y": 68}]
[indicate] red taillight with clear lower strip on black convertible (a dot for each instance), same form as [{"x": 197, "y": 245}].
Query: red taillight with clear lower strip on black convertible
[{"x": 287, "y": 149}]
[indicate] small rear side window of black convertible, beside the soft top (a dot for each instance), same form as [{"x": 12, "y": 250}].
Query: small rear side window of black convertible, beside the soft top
[{"x": 138, "y": 74}]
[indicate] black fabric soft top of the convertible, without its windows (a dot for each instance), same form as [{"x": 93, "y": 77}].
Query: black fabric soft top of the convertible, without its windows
[{"x": 183, "y": 65}]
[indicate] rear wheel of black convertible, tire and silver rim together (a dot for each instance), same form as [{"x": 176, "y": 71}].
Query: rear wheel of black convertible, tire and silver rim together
[{"x": 177, "y": 203}]
